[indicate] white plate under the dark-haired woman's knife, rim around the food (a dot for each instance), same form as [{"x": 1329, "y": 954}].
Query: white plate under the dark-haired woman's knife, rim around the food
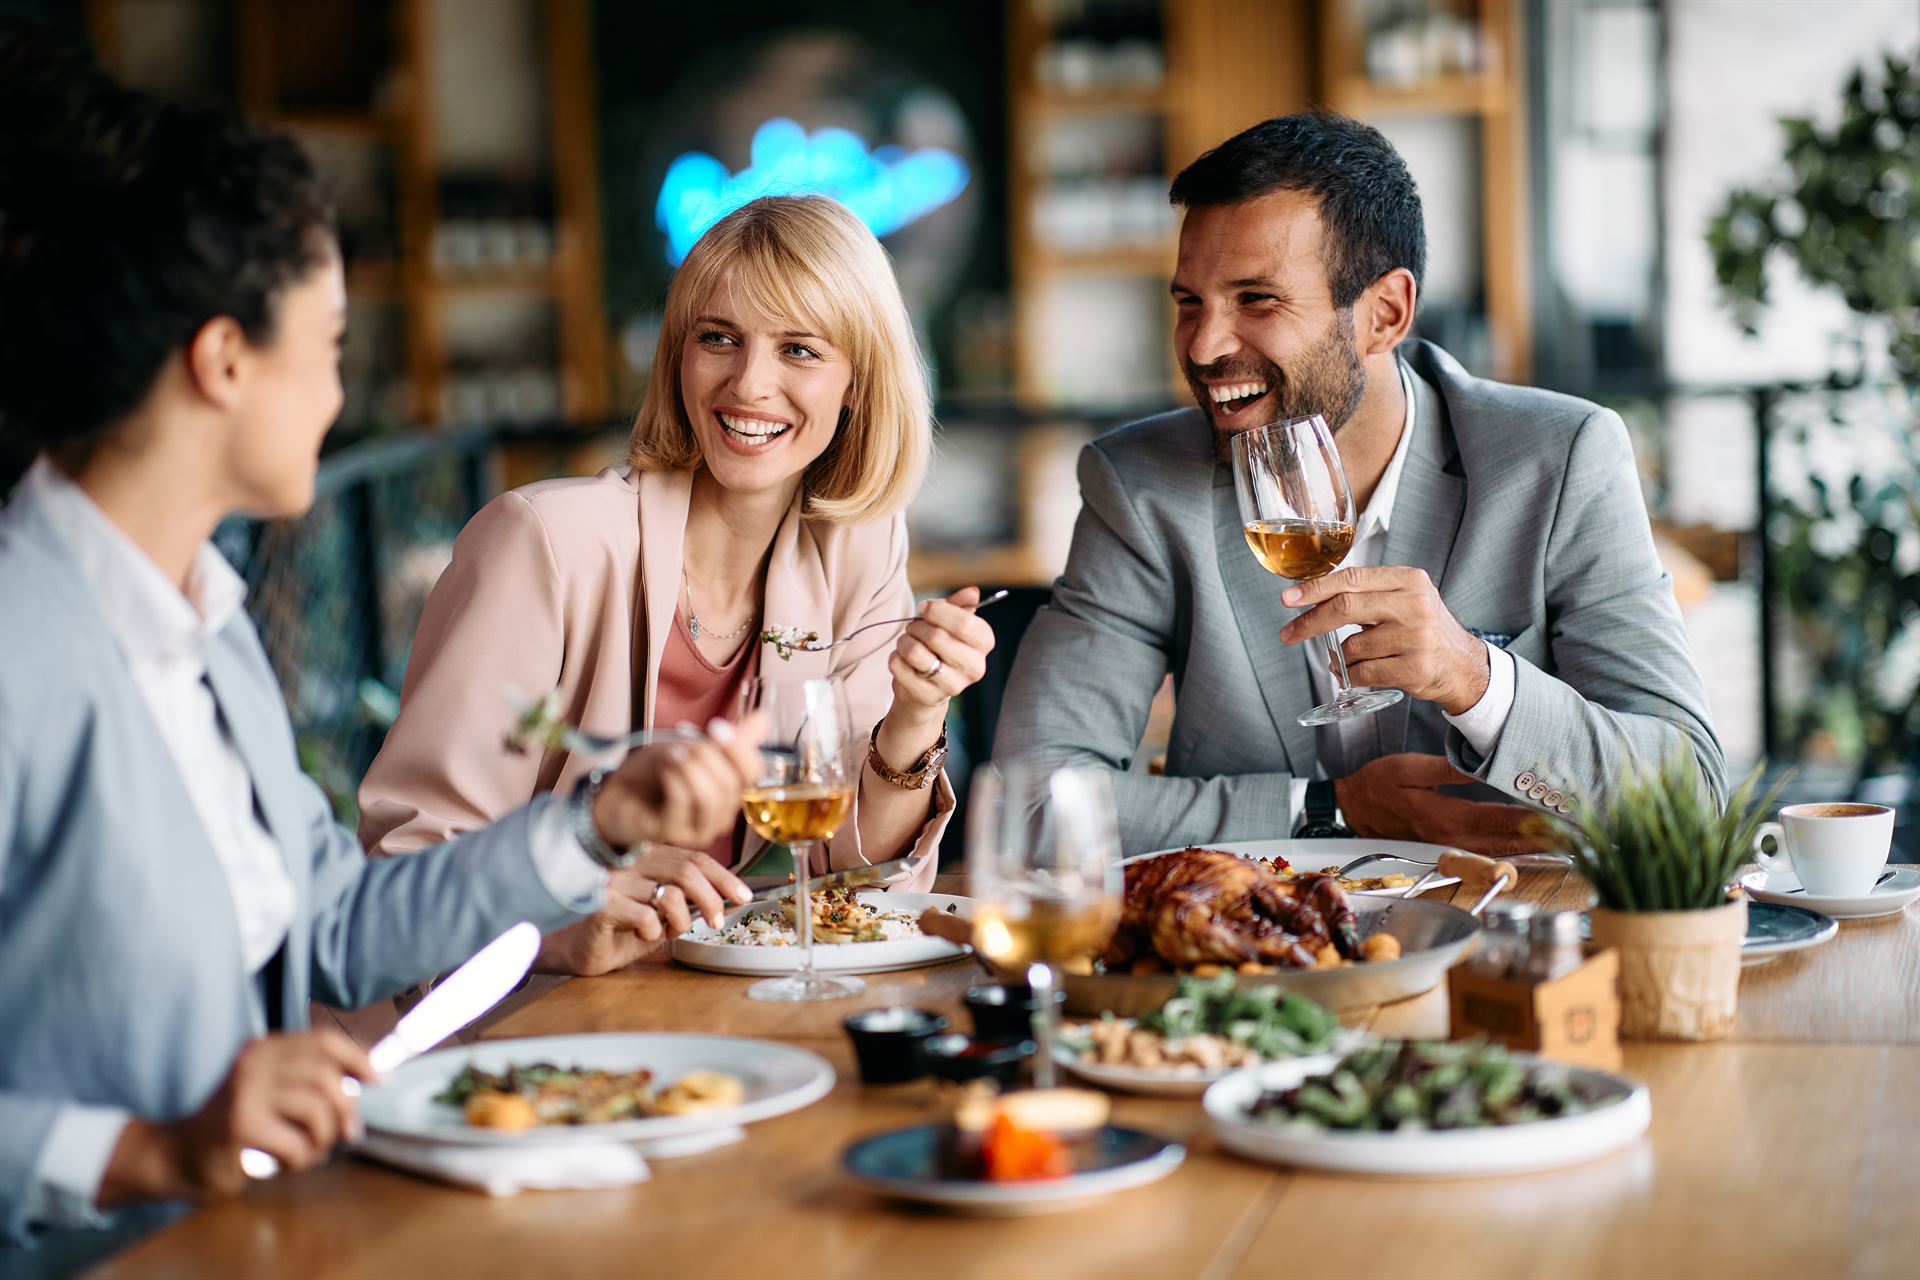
[{"x": 779, "y": 1079}]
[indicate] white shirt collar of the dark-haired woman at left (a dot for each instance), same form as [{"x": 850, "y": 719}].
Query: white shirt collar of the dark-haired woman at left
[{"x": 149, "y": 615}]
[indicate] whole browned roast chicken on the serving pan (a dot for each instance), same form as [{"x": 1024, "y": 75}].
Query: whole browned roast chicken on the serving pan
[{"x": 1207, "y": 907}]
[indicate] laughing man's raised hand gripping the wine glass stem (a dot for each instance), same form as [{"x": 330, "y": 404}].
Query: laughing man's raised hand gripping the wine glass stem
[{"x": 1408, "y": 640}]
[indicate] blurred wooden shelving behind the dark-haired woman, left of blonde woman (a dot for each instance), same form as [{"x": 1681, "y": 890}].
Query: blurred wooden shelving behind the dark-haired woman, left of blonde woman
[{"x": 366, "y": 83}]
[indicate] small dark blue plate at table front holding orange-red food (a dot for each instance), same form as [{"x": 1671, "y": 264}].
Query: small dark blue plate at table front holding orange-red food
[{"x": 903, "y": 1164}]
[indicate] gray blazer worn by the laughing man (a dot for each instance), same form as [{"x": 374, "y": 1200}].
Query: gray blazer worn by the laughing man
[{"x": 1522, "y": 506}]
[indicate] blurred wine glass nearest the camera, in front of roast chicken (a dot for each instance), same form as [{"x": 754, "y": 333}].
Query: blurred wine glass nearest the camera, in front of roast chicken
[{"x": 1044, "y": 866}]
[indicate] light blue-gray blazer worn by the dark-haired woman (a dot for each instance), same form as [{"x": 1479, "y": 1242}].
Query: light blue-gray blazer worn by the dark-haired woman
[{"x": 120, "y": 959}]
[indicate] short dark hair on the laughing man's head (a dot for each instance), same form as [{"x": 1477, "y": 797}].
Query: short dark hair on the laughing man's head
[{"x": 1368, "y": 202}]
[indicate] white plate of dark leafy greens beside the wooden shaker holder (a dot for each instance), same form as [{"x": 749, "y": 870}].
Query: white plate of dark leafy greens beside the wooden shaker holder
[{"x": 1428, "y": 1110}]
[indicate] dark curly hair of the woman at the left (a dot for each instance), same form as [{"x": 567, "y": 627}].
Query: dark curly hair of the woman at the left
[{"x": 126, "y": 225}]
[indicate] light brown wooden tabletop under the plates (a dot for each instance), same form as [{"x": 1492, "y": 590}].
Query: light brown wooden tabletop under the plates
[{"x": 1790, "y": 1150}]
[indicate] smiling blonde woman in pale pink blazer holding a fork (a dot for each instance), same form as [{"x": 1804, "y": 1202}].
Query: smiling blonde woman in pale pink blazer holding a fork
[{"x": 782, "y": 433}]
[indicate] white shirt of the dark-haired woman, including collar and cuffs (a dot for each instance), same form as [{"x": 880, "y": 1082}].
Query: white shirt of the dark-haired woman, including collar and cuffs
[{"x": 166, "y": 638}]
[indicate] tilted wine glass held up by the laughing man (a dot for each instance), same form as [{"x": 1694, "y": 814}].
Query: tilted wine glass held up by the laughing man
[{"x": 1299, "y": 521}]
